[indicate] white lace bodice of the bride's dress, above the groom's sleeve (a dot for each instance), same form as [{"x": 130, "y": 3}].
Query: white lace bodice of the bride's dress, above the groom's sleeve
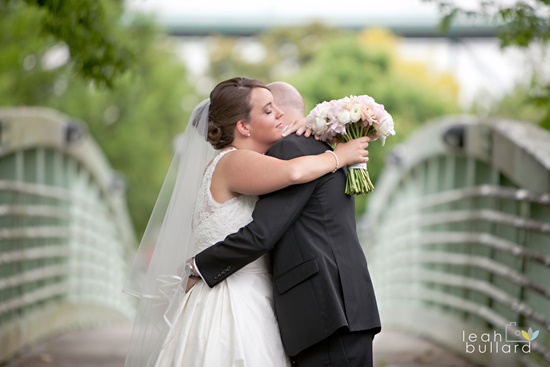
[{"x": 213, "y": 221}]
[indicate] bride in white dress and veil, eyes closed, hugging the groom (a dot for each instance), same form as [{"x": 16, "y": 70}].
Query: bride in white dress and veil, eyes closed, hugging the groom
[{"x": 233, "y": 324}]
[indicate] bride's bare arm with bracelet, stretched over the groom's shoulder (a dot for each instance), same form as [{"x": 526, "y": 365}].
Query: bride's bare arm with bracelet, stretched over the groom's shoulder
[{"x": 251, "y": 173}]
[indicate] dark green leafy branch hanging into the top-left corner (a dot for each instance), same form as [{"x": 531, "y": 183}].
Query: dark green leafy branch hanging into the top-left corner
[{"x": 84, "y": 27}]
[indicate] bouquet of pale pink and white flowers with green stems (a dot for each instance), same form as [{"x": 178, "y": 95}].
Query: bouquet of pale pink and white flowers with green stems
[{"x": 349, "y": 118}]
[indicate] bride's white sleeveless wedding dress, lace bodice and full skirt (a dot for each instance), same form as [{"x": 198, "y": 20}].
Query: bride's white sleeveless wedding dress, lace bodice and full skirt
[{"x": 232, "y": 324}]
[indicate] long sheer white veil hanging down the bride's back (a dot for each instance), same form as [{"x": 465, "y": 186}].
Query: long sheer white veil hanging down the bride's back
[{"x": 156, "y": 275}]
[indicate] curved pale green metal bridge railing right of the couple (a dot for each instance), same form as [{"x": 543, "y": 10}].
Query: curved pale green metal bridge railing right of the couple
[{"x": 458, "y": 239}]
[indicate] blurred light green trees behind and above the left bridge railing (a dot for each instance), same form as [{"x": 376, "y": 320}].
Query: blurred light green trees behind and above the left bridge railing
[{"x": 134, "y": 122}]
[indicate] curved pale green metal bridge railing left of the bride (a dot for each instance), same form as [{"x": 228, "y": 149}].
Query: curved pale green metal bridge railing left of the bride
[{"x": 65, "y": 234}]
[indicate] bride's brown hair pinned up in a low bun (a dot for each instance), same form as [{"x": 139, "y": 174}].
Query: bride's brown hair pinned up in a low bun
[{"x": 229, "y": 103}]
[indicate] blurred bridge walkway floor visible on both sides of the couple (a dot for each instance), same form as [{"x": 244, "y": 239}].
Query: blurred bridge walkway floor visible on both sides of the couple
[{"x": 106, "y": 347}]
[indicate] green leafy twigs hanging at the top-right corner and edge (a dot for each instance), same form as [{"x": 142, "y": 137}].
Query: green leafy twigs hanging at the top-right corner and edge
[{"x": 519, "y": 24}]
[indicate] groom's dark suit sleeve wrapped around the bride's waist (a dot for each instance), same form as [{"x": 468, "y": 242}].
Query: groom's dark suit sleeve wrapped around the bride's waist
[{"x": 273, "y": 215}]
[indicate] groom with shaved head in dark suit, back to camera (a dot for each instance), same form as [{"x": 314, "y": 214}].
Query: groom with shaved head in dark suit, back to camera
[{"x": 322, "y": 290}]
